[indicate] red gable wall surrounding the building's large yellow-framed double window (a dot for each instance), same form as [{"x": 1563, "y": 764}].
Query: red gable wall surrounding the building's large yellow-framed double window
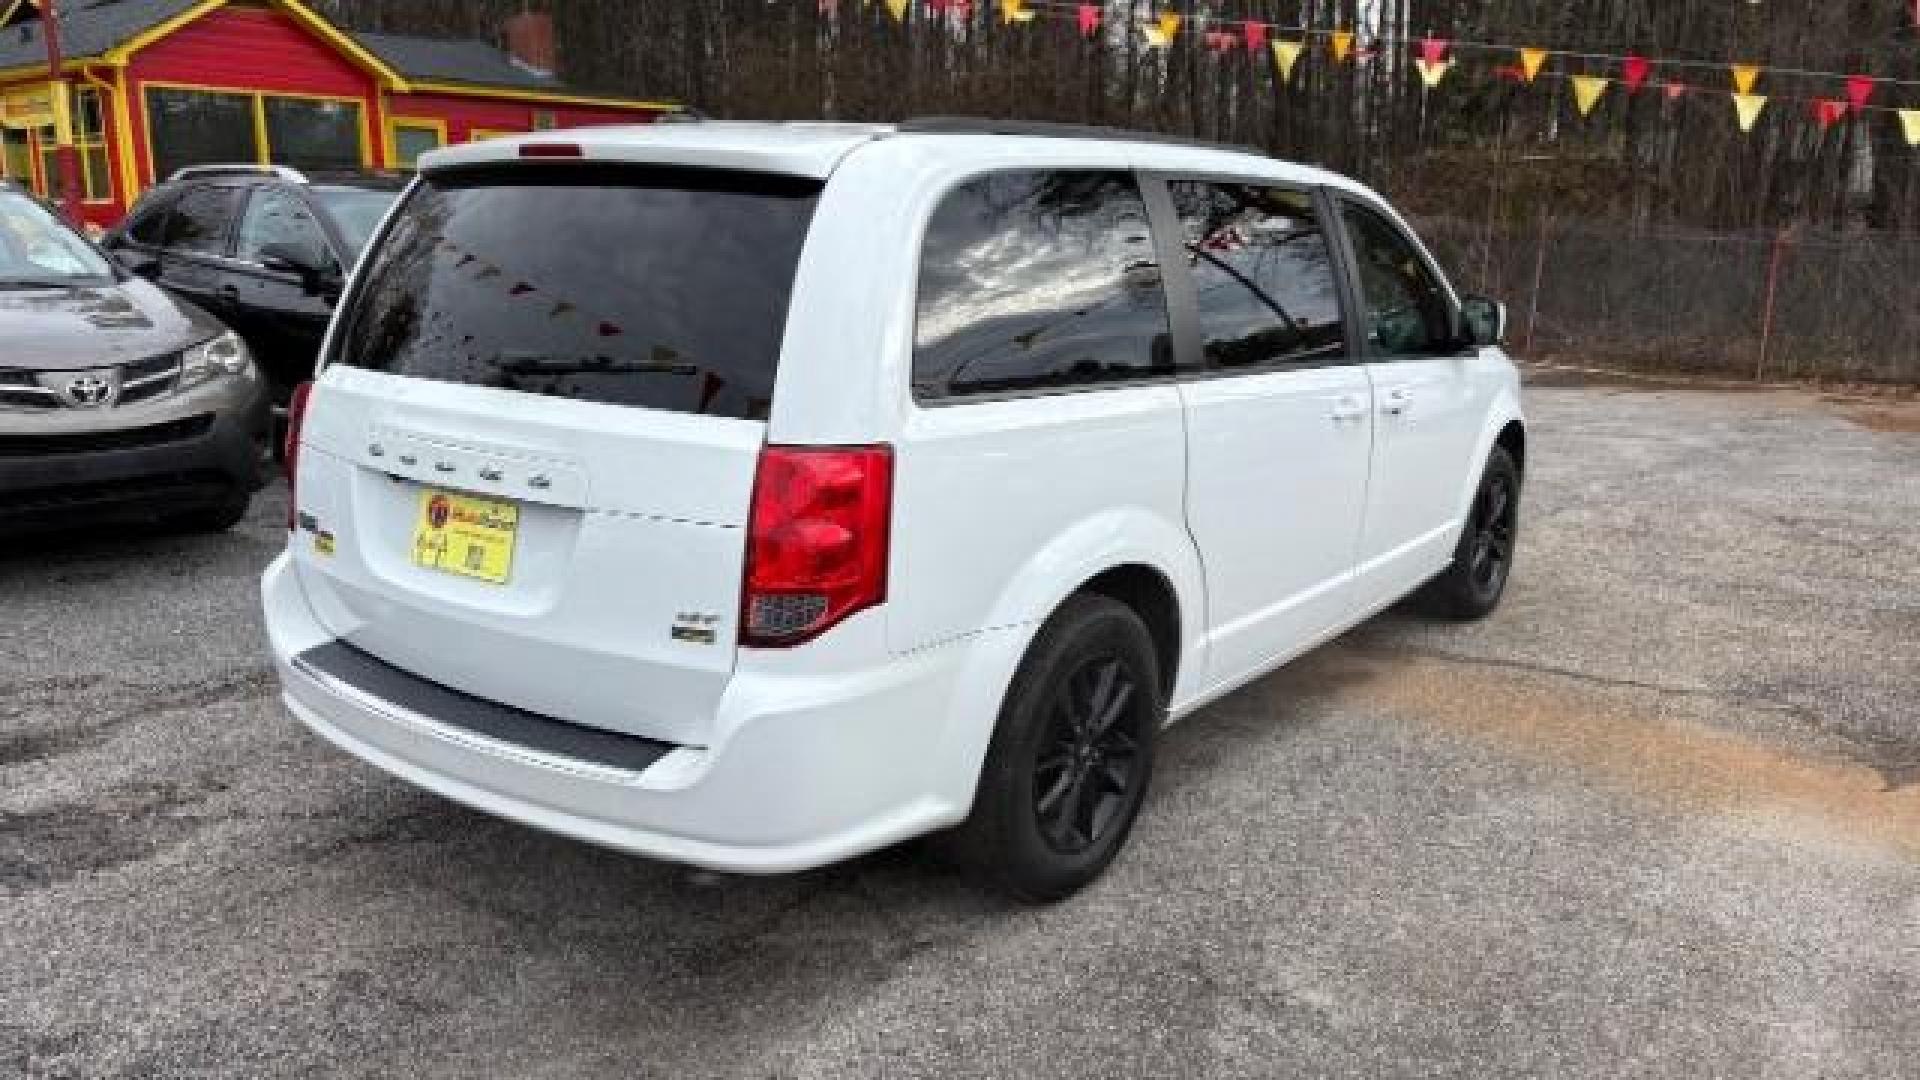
[{"x": 249, "y": 49}]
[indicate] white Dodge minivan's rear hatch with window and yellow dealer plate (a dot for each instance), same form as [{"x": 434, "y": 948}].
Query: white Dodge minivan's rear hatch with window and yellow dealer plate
[{"x": 529, "y": 464}]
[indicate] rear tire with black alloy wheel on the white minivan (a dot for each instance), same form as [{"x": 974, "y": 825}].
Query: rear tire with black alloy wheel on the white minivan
[{"x": 1072, "y": 754}]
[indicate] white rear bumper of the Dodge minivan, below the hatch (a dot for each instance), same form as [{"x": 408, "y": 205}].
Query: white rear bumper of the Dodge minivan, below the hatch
[{"x": 811, "y": 770}]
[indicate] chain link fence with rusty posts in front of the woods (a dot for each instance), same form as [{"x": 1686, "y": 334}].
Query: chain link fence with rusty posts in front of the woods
[{"x": 1798, "y": 305}]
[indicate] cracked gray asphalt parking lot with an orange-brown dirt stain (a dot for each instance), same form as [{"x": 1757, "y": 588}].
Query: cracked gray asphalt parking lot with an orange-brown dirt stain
[{"x": 1662, "y": 816}]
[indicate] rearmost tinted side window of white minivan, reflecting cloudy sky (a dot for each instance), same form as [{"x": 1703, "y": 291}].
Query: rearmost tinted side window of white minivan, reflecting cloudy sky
[{"x": 1036, "y": 282}]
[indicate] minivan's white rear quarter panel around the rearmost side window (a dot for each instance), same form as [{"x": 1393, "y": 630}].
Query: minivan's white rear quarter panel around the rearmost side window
[{"x": 1001, "y": 508}]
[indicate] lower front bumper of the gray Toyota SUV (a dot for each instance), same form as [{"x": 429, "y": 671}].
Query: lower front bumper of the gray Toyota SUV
[{"x": 155, "y": 468}]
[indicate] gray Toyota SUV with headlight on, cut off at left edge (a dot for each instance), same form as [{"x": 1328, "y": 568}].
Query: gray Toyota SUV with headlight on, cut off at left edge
[{"x": 116, "y": 401}]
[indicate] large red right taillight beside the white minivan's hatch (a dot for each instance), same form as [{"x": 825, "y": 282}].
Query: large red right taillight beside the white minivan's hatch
[{"x": 817, "y": 543}]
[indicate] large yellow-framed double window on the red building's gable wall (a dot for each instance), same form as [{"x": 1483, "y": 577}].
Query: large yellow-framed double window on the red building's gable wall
[{"x": 210, "y": 128}]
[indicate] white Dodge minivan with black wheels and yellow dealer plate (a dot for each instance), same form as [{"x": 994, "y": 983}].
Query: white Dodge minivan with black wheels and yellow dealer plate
[{"x": 756, "y": 497}]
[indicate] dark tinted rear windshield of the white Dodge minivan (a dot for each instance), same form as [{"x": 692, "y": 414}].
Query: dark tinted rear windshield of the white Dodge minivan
[{"x": 661, "y": 289}]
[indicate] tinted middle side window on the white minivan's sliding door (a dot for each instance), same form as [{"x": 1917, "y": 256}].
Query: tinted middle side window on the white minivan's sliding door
[{"x": 1264, "y": 276}]
